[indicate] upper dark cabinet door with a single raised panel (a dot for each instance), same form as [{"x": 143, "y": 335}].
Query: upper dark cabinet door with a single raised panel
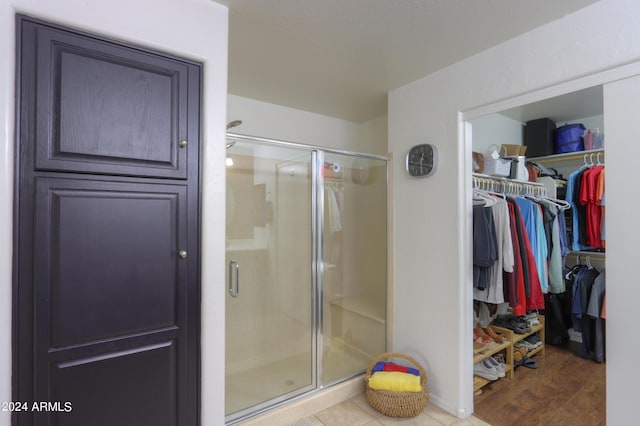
[{"x": 102, "y": 107}]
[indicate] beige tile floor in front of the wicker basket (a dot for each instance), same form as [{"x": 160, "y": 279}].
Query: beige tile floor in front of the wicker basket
[{"x": 357, "y": 412}]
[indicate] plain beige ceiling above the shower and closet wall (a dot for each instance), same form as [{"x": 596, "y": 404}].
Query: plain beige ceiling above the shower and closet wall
[{"x": 341, "y": 57}]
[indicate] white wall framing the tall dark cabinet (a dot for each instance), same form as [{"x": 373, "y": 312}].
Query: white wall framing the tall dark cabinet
[{"x": 196, "y": 29}]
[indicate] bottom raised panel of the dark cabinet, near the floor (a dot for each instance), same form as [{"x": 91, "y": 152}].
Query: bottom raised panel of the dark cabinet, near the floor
[{"x": 136, "y": 387}]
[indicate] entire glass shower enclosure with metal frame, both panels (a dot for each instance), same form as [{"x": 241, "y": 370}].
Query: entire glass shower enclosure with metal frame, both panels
[{"x": 306, "y": 270}]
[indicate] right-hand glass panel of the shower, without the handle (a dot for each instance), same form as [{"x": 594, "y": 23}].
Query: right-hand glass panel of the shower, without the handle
[{"x": 353, "y": 254}]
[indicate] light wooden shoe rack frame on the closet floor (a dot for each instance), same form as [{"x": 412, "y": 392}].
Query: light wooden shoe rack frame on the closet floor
[{"x": 511, "y": 338}]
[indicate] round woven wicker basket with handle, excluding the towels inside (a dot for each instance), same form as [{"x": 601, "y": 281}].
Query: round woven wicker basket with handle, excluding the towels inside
[{"x": 397, "y": 404}]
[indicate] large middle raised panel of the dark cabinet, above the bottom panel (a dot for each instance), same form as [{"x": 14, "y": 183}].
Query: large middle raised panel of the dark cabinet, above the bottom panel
[{"x": 106, "y": 259}]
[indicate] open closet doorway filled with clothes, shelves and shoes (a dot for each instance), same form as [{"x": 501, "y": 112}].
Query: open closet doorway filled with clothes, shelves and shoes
[{"x": 539, "y": 247}]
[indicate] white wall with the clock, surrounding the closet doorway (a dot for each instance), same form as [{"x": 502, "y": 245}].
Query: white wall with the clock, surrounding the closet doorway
[{"x": 433, "y": 216}]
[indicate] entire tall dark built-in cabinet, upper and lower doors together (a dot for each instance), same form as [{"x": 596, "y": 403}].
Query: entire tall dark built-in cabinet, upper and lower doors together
[{"x": 107, "y": 292}]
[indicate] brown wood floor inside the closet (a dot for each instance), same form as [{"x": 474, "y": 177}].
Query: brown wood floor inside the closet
[{"x": 565, "y": 390}]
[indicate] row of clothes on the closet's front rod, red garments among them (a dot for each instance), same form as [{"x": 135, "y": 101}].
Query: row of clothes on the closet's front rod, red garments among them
[{"x": 517, "y": 247}]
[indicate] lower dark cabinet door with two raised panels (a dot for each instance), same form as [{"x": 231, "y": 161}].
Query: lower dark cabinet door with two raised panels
[{"x": 110, "y": 296}]
